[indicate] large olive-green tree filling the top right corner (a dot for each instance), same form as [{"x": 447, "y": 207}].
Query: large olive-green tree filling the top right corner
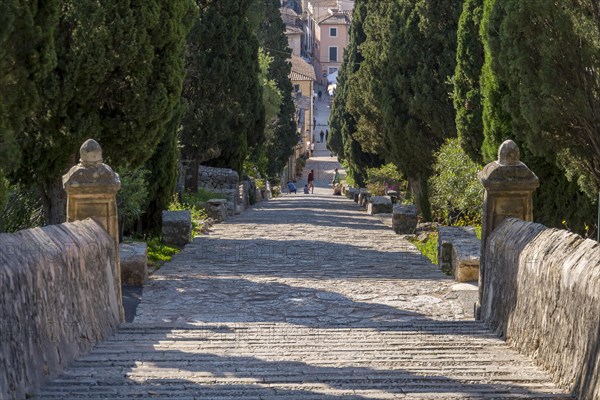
[{"x": 548, "y": 56}]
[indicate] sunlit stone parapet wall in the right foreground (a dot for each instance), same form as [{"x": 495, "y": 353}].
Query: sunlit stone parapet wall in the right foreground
[{"x": 542, "y": 293}]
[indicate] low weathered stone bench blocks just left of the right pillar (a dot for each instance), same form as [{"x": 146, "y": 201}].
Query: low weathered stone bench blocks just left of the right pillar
[{"x": 459, "y": 252}]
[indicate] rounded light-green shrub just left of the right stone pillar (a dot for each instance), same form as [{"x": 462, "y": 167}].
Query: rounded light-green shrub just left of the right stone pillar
[{"x": 456, "y": 193}]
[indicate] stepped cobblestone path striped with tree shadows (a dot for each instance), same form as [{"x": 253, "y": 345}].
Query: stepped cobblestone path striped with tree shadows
[{"x": 302, "y": 297}]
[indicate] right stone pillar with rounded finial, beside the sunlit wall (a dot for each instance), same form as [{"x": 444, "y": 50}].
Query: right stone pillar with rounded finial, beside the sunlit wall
[{"x": 509, "y": 185}]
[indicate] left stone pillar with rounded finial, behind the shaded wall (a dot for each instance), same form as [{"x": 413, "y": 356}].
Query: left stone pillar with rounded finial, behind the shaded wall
[{"x": 92, "y": 188}]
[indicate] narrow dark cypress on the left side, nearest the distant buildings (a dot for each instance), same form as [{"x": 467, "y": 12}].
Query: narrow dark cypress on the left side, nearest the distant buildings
[{"x": 271, "y": 36}]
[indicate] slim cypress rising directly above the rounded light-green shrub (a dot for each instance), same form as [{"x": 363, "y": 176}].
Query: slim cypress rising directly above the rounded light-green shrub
[{"x": 467, "y": 93}]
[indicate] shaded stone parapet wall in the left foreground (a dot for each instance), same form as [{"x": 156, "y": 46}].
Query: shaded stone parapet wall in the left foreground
[{"x": 57, "y": 299}]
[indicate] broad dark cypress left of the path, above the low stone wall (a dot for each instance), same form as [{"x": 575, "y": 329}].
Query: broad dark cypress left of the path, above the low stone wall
[{"x": 225, "y": 114}]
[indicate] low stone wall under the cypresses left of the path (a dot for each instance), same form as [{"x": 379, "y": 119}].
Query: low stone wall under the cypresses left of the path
[{"x": 223, "y": 181}]
